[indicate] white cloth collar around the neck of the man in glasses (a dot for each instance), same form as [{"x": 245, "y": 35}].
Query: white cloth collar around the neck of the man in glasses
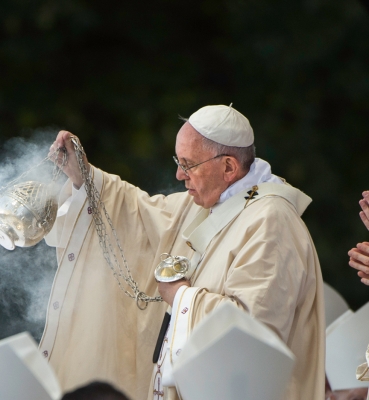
[{"x": 260, "y": 172}]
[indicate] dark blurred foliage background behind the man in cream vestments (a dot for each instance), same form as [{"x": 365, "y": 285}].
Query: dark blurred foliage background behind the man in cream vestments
[{"x": 117, "y": 74}]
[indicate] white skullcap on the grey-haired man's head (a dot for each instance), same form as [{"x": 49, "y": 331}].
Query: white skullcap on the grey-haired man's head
[{"x": 224, "y": 125}]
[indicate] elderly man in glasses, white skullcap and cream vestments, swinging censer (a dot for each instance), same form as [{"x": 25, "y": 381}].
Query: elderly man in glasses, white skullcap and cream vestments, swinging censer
[{"x": 239, "y": 226}]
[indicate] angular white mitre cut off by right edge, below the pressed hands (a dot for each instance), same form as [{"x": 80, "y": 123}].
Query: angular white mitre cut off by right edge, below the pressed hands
[{"x": 347, "y": 339}]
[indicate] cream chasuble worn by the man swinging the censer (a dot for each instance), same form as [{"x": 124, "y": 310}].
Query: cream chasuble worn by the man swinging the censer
[{"x": 262, "y": 260}]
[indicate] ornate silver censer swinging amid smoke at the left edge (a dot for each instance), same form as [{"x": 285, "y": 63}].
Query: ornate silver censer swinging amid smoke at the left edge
[{"x": 27, "y": 213}]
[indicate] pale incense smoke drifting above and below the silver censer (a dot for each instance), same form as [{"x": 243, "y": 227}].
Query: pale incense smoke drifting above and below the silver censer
[{"x": 26, "y": 274}]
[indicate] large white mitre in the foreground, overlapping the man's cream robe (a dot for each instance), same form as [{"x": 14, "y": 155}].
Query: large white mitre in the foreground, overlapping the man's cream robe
[{"x": 231, "y": 355}]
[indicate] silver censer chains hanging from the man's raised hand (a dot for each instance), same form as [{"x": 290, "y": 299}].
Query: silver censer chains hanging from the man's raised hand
[{"x": 111, "y": 258}]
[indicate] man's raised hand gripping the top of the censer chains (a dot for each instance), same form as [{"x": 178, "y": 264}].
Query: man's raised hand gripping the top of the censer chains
[{"x": 72, "y": 168}]
